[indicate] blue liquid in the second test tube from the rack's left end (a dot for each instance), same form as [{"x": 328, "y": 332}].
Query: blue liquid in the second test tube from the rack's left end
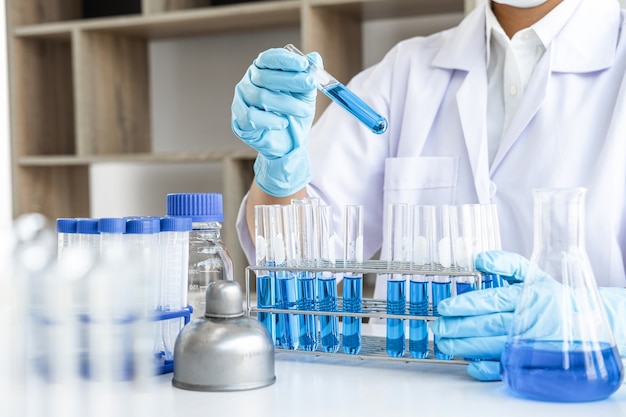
[{"x": 287, "y": 325}]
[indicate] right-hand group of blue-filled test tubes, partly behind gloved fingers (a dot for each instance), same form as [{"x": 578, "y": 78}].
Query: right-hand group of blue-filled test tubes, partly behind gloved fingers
[{"x": 429, "y": 237}]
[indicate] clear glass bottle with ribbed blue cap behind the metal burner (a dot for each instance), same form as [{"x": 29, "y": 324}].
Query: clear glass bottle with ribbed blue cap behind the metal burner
[{"x": 209, "y": 259}]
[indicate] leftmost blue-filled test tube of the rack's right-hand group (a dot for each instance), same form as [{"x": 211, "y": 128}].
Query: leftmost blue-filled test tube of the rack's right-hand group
[{"x": 397, "y": 252}]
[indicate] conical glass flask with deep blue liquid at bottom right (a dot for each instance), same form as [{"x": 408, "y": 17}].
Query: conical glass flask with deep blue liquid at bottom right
[{"x": 560, "y": 347}]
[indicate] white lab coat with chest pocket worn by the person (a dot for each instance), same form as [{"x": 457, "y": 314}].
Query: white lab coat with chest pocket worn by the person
[{"x": 569, "y": 131}]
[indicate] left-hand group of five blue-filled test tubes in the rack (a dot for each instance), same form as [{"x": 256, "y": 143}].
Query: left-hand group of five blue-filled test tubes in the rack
[{"x": 301, "y": 234}]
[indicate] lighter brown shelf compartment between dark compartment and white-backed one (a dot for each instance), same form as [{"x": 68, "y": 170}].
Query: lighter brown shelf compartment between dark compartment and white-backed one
[{"x": 113, "y": 100}]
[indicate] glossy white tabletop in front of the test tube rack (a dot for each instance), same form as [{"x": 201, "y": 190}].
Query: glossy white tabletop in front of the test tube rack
[{"x": 308, "y": 385}]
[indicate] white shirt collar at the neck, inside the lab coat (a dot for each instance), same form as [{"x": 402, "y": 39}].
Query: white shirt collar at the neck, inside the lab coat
[{"x": 546, "y": 29}]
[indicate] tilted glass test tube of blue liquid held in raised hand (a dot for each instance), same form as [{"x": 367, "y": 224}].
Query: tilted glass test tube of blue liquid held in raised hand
[{"x": 338, "y": 93}]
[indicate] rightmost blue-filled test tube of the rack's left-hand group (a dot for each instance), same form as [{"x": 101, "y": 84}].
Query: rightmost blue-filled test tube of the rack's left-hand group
[{"x": 352, "y": 281}]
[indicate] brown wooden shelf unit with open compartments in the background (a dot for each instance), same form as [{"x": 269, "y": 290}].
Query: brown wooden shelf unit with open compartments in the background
[{"x": 80, "y": 87}]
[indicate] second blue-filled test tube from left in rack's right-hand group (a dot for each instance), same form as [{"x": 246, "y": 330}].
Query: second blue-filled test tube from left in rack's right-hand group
[{"x": 423, "y": 221}]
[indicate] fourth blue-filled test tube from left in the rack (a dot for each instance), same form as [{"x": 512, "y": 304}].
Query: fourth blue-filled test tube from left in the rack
[{"x": 327, "y": 281}]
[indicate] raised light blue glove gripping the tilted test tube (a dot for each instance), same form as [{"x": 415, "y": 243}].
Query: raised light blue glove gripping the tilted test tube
[{"x": 272, "y": 112}]
